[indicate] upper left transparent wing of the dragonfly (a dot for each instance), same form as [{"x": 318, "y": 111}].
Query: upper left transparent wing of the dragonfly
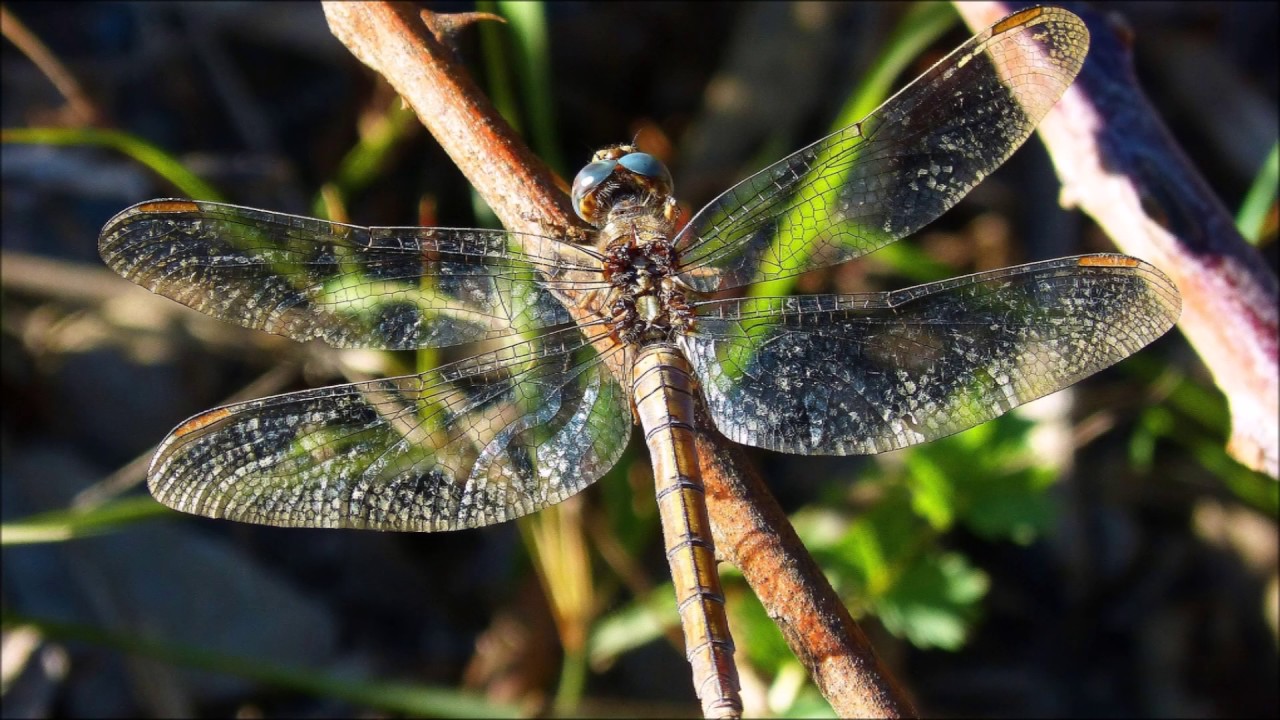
[{"x": 390, "y": 289}]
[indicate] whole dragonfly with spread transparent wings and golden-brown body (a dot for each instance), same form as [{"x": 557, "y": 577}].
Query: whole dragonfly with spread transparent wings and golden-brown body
[{"x": 580, "y": 341}]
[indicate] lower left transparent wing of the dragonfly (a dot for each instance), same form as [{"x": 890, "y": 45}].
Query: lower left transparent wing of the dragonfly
[{"x": 486, "y": 440}]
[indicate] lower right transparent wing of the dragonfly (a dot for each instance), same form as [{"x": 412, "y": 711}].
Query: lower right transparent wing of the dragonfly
[{"x": 868, "y": 373}]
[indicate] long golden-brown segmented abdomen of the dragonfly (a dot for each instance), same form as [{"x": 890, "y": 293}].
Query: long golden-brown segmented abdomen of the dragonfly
[{"x": 664, "y": 395}]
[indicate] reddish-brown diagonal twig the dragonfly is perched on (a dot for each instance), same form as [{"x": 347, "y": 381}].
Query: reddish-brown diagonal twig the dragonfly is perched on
[{"x": 749, "y": 528}]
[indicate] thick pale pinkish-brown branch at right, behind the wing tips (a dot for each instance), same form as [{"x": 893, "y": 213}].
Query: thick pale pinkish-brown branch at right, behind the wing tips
[{"x": 1119, "y": 163}]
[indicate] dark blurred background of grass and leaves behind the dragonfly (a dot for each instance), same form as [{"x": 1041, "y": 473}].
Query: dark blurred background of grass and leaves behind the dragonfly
[{"x": 1094, "y": 554}]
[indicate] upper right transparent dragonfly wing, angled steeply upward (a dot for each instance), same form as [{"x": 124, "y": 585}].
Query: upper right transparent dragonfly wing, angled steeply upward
[{"x": 906, "y": 165}]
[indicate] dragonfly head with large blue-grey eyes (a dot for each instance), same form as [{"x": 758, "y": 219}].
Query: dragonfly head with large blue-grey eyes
[{"x": 621, "y": 176}]
